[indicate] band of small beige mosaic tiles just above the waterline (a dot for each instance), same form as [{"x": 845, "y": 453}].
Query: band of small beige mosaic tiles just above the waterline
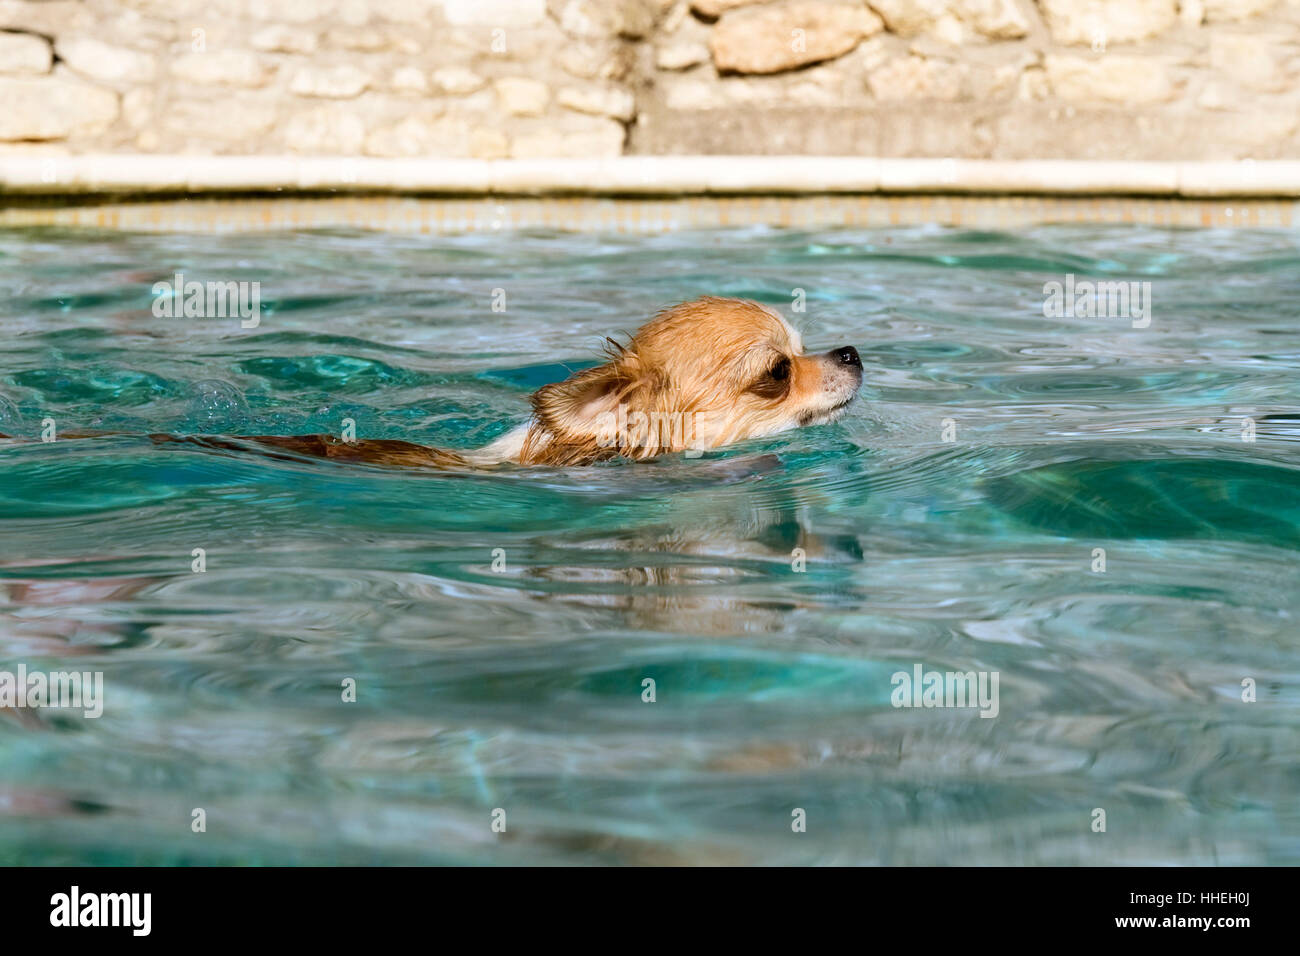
[{"x": 424, "y": 215}]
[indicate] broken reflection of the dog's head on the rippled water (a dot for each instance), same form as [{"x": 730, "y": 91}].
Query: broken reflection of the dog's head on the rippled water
[{"x": 721, "y": 564}]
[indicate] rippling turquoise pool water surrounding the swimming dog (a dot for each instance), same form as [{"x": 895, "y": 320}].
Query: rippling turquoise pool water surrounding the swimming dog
[{"x": 521, "y": 687}]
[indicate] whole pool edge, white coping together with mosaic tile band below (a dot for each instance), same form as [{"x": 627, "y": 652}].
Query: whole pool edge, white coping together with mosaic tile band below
[{"x": 632, "y": 194}]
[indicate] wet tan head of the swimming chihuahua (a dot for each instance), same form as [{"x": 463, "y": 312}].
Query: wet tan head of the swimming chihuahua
[{"x": 697, "y": 377}]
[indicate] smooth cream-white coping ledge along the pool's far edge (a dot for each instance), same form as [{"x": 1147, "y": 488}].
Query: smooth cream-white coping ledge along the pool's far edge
[{"x": 122, "y": 174}]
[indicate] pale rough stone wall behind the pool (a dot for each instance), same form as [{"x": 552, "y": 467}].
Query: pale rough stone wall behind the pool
[{"x": 538, "y": 79}]
